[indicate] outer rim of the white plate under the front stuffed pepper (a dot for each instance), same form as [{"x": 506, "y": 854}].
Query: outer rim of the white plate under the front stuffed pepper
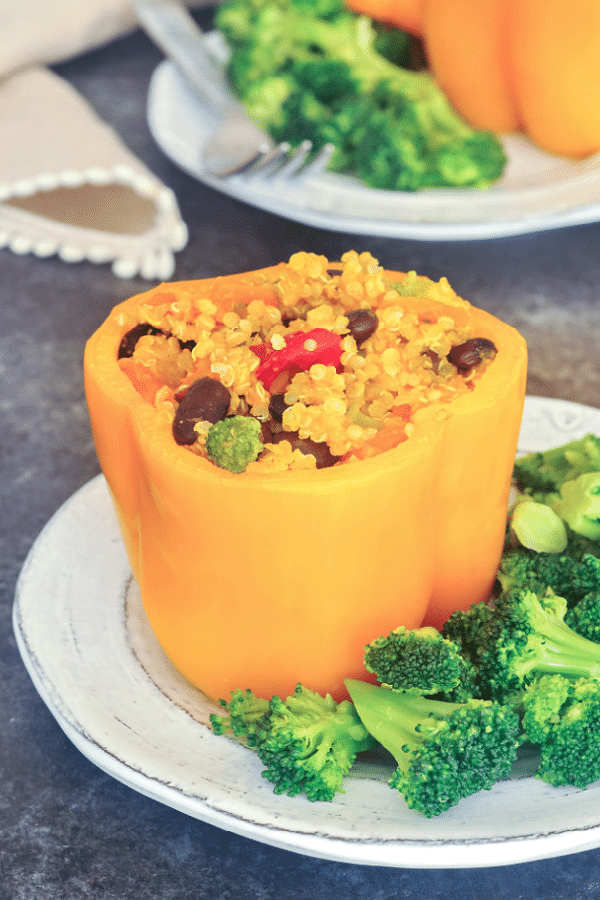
[{"x": 406, "y": 853}]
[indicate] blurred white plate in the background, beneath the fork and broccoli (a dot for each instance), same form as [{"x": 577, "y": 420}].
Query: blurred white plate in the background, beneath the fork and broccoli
[{"x": 537, "y": 191}]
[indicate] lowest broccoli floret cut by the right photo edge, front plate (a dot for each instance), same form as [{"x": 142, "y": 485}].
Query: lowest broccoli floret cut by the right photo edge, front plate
[{"x": 562, "y": 716}]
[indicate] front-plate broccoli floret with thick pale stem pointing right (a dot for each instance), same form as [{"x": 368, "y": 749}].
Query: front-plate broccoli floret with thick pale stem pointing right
[{"x": 521, "y": 637}]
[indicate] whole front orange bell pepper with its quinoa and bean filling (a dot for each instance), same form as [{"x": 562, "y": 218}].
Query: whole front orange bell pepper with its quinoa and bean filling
[{"x": 303, "y": 458}]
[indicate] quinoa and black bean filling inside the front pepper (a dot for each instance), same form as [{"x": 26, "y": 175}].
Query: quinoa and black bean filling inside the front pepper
[{"x": 327, "y": 365}]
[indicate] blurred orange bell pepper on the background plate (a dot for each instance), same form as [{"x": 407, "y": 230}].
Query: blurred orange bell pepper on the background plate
[{"x": 512, "y": 65}]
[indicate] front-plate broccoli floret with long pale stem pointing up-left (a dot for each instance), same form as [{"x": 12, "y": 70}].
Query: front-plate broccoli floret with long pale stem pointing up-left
[{"x": 444, "y": 751}]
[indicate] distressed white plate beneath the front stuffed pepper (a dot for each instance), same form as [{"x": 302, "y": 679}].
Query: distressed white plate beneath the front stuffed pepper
[{"x": 87, "y": 645}]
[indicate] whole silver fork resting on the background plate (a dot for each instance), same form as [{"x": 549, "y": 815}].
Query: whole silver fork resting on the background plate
[{"x": 238, "y": 145}]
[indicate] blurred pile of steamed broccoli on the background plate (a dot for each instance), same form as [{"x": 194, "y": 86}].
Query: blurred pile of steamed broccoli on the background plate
[{"x": 310, "y": 69}]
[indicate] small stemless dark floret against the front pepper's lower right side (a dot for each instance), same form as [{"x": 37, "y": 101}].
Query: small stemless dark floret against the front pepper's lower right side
[{"x": 418, "y": 661}]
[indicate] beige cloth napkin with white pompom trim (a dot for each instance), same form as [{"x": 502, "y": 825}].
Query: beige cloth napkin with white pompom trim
[{"x": 68, "y": 184}]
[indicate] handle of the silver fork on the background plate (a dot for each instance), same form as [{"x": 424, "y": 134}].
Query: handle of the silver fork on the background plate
[{"x": 169, "y": 24}]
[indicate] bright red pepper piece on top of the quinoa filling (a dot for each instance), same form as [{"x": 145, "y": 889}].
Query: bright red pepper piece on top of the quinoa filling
[{"x": 303, "y": 349}]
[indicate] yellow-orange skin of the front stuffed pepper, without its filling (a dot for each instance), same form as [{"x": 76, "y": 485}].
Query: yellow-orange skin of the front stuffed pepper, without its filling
[{"x": 264, "y": 580}]
